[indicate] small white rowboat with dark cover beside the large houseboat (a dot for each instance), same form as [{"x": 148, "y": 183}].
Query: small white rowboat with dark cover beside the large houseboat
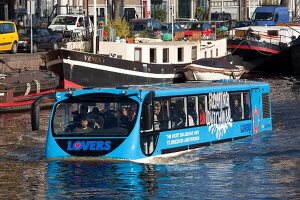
[{"x": 212, "y": 69}]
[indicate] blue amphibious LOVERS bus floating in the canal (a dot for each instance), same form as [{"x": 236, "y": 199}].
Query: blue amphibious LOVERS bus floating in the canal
[{"x": 141, "y": 122}]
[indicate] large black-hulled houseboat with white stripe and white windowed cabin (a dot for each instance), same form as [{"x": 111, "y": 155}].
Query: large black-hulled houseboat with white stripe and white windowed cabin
[{"x": 129, "y": 64}]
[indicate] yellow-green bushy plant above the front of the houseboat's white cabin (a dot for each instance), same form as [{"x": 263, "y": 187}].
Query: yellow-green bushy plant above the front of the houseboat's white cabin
[{"x": 120, "y": 25}]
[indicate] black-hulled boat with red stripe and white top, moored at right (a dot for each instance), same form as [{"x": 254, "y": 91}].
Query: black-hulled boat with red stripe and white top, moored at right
[{"x": 262, "y": 49}]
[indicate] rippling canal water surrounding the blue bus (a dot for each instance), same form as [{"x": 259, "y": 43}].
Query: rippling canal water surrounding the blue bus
[{"x": 259, "y": 167}]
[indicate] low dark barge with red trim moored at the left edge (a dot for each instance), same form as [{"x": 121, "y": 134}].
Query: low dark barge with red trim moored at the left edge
[{"x": 18, "y": 89}]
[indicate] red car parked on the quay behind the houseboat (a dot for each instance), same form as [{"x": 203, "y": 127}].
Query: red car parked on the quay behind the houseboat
[{"x": 198, "y": 27}]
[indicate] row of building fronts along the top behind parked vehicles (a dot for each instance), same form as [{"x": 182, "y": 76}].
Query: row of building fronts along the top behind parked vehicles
[{"x": 45, "y": 10}]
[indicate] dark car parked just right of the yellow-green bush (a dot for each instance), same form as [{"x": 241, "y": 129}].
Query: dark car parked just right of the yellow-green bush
[{"x": 146, "y": 27}]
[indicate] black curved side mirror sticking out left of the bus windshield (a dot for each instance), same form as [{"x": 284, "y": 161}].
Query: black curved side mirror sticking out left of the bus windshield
[{"x": 35, "y": 109}]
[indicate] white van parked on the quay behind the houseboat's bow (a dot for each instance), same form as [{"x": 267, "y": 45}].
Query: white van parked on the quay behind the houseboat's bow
[{"x": 75, "y": 23}]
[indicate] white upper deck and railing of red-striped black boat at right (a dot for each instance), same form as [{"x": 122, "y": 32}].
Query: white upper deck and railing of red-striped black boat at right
[{"x": 270, "y": 36}]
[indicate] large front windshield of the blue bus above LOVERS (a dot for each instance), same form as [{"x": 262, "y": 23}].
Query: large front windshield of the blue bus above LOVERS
[{"x": 109, "y": 116}]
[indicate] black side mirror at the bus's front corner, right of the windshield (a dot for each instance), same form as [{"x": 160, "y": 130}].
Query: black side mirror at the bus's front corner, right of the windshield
[{"x": 148, "y": 111}]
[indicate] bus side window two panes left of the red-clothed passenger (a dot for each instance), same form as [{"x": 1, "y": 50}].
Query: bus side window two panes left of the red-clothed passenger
[{"x": 178, "y": 112}]
